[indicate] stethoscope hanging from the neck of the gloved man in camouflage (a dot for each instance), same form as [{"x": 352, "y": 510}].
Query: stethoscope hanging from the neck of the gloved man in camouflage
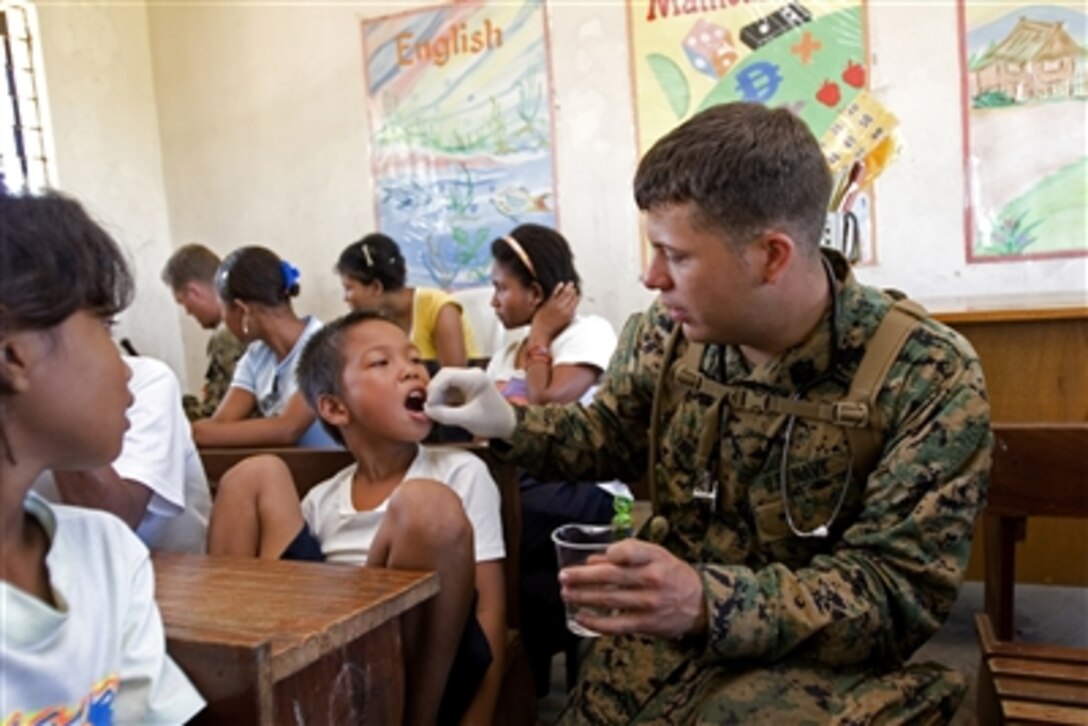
[{"x": 707, "y": 484}]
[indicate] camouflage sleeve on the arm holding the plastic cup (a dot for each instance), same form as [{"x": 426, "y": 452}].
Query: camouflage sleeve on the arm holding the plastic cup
[{"x": 887, "y": 583}]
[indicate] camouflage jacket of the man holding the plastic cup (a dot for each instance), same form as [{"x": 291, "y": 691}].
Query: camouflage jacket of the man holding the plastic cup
[{"x": 869, "y": 595}]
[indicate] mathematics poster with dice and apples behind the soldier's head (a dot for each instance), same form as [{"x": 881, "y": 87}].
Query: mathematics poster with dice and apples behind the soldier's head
[{"x": 809, "y": 56}]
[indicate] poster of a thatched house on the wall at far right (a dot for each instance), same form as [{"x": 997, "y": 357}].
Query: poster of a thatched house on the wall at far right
[{"x": 1024, "y": 93}]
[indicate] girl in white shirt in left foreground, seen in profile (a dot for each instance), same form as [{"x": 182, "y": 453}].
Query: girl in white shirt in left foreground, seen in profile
[{"x": 81, "y": 637}]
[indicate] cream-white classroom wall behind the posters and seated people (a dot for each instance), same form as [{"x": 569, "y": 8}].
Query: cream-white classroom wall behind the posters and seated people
[{"x": 264, "y": 140}]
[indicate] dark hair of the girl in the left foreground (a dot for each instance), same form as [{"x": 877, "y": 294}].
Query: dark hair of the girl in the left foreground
[{"x": 56, "y": 261}]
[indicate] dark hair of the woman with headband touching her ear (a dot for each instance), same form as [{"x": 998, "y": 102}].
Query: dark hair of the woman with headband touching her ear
[{"x": 549, "y": 254}]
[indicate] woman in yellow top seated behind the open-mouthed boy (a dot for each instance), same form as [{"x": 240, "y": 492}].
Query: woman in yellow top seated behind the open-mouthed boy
[{"x": 374, "y": 273}]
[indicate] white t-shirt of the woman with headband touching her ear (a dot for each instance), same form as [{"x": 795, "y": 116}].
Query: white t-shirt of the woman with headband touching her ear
[{"x": 587, "y": 341}]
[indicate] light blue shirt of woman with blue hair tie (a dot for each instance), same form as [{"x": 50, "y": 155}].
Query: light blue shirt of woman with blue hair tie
[{"x": 273, "y": 383}]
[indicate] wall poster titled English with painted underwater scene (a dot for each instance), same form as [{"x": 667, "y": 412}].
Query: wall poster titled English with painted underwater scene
[{"x": 459, "y": 100}]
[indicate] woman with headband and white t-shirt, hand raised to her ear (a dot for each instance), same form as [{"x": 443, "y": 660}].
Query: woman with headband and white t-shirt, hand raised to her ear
[{"x": 558, "y": 360}]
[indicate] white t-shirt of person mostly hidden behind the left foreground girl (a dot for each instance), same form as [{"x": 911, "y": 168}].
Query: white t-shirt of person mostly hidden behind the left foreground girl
[{"x": 158, "y": 452}]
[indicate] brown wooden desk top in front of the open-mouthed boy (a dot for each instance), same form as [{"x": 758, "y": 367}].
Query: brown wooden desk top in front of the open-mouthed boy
[{"x": 299, "y": 611}]
